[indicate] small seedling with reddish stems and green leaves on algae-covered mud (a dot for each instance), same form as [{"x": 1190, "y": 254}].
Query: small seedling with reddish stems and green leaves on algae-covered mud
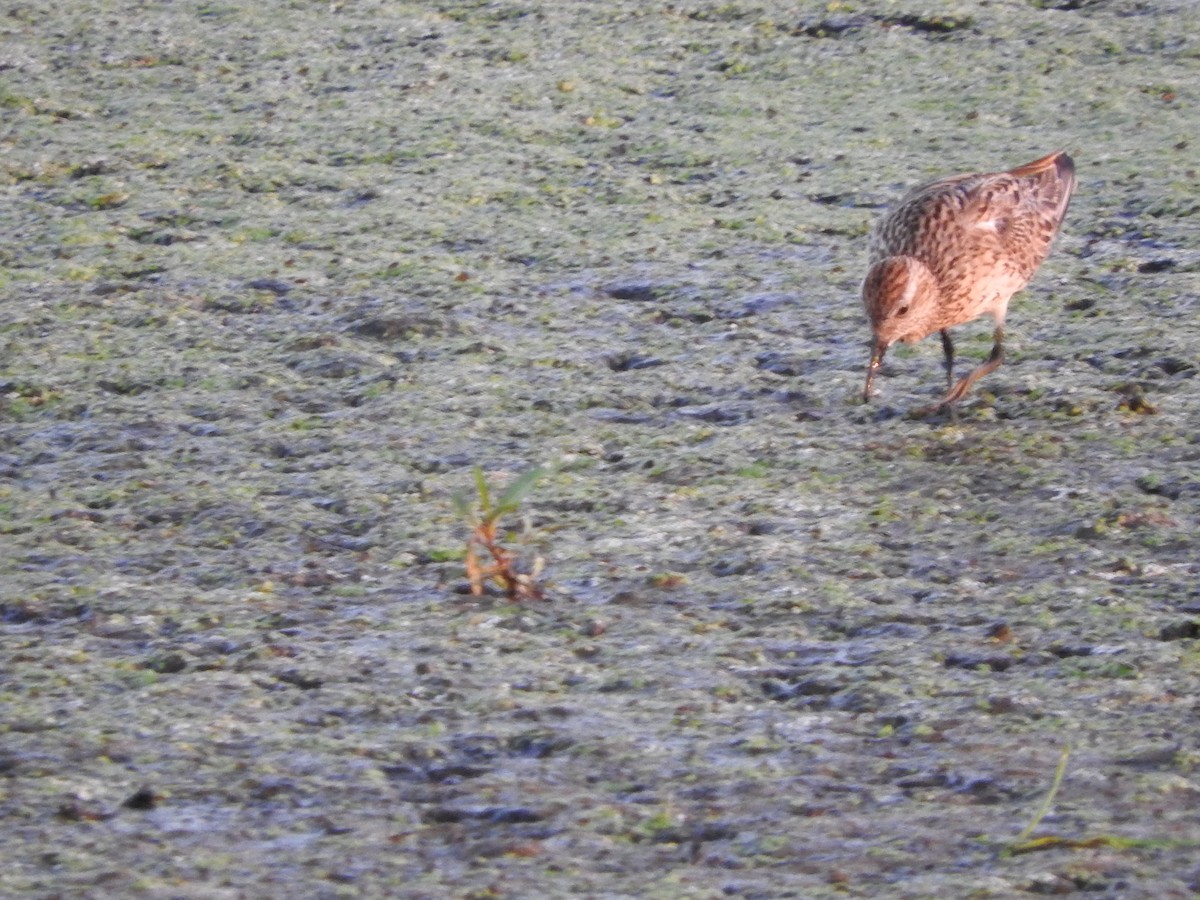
[{"x": 483, "y": 517}]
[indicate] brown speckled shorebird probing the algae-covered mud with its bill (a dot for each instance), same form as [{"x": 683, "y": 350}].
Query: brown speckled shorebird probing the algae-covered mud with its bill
[{"x": 958, "y": 249}]
